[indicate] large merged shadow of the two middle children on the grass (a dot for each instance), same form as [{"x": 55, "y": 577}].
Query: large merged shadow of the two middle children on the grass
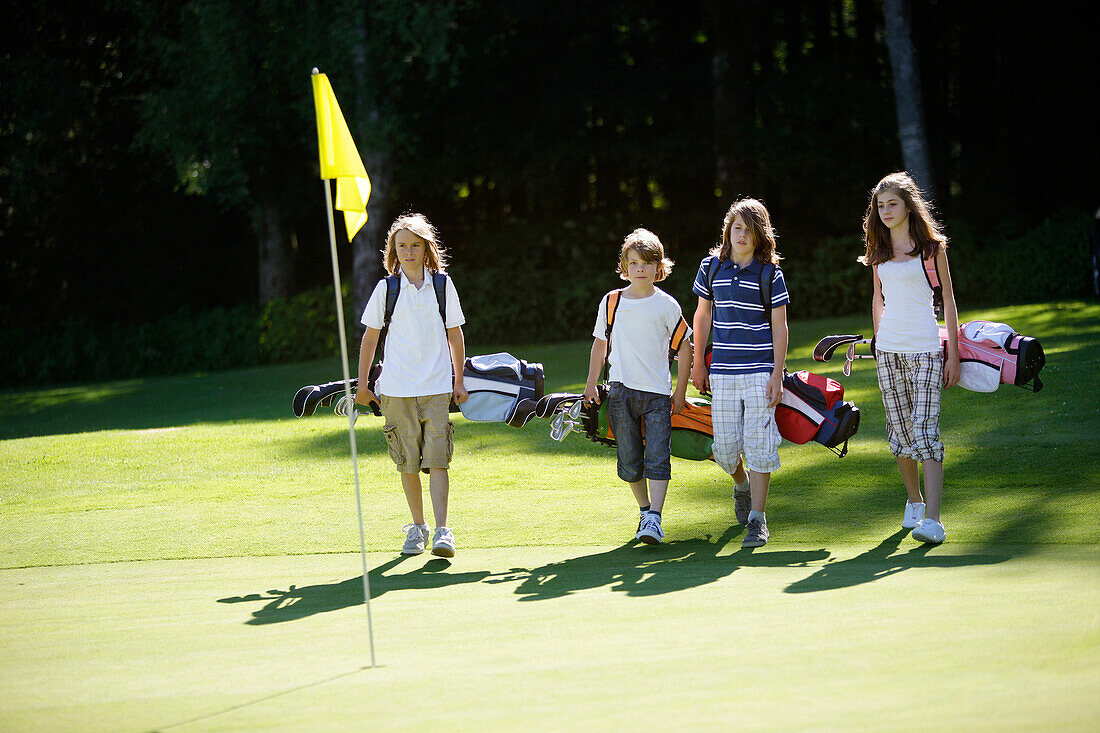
[{"x": 639, "y": 570}]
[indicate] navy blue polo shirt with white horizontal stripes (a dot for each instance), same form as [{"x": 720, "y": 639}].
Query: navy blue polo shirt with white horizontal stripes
[{"x": 742, "y": 335}]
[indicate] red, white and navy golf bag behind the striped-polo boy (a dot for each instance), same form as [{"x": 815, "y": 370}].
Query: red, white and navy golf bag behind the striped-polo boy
[{"x": 813, "y": 409}]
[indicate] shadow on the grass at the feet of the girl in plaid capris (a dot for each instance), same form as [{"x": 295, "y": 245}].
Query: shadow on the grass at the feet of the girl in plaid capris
[{"x": 881, "y": 562}]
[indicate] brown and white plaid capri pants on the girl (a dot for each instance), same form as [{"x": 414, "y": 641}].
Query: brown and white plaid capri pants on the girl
[{"x": 912, "y": 386}]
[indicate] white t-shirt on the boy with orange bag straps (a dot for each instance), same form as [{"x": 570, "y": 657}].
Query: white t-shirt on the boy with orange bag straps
[{"x": 640, "y": 357}]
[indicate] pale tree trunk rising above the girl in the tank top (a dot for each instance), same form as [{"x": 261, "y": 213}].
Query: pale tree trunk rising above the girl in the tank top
[{"x": 907, "y": 76}]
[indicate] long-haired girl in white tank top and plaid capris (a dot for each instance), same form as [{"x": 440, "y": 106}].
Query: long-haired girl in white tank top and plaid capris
[{"x": 901, "y": 234}]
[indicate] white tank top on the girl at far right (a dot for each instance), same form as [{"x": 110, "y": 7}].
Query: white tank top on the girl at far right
[{"x": 909, "y": 322}]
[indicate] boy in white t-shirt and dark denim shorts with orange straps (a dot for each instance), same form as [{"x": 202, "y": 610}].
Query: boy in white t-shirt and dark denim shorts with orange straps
[{"x": 645, "y": 321}]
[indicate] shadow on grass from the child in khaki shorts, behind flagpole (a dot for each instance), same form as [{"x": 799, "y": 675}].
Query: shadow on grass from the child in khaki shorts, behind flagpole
[{"x": 296, "y": 604}]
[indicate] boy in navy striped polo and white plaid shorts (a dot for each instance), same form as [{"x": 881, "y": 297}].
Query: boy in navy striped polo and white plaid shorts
[{"x": 749, "y": 357}]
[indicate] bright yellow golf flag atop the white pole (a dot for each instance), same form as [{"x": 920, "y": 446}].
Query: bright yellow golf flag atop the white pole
[{"x": 339, "y": 158}]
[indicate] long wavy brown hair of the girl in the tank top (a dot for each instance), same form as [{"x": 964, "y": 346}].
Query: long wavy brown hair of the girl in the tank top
[{"x": 923, "y": 228}]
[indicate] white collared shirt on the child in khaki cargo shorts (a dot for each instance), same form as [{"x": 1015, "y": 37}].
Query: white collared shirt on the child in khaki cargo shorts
[{"x": 417, "y": 356}]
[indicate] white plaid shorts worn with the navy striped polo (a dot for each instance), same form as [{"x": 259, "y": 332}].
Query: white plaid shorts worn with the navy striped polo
[{"x": 744, "y": 423}]
